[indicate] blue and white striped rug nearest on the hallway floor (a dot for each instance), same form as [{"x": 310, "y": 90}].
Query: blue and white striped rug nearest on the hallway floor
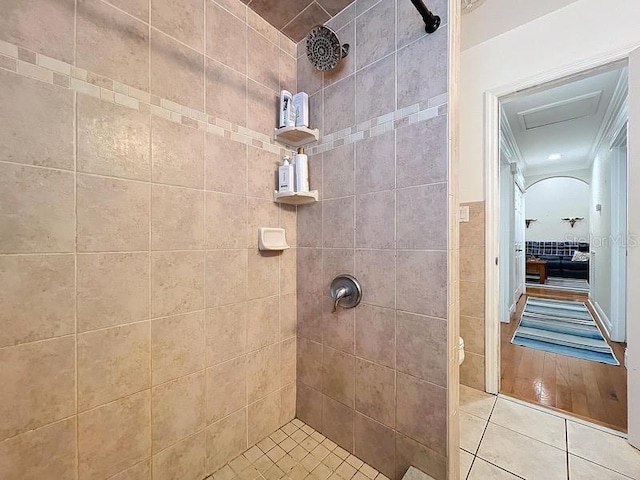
[{"x": 563, "y": 327}]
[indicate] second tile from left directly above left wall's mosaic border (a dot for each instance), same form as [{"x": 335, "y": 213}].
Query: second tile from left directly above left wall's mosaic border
[{"x": 125, "y": 58}]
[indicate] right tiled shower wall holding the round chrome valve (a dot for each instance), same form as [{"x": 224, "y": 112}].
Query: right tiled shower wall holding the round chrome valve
[{"x": 375, "y": 379}]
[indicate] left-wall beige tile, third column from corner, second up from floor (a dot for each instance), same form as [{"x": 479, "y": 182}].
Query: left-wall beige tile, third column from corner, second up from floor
[{"x": 226, "y": 389}]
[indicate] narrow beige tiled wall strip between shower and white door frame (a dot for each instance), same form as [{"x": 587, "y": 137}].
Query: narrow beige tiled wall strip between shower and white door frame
[{"x": 472, "y": 327}]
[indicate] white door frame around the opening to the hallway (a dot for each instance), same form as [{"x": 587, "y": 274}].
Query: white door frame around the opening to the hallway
[{"x": 492, "y": 219}]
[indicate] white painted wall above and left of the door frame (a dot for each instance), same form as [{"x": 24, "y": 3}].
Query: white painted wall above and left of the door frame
[{"x": 571, "y": 34}]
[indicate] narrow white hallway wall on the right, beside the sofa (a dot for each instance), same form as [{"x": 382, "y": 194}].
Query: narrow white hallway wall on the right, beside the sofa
[{"x": 601, "y": 230}]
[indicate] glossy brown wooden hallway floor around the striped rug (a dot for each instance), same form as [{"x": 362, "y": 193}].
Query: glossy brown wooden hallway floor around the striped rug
[{"x": 590, "y": 390}]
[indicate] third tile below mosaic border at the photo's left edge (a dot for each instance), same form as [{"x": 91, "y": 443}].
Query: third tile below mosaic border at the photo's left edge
[{"x": 36, "y": 301}]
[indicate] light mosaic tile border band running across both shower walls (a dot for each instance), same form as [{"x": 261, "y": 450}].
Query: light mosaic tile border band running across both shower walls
[{"x": 49, "y": 70}]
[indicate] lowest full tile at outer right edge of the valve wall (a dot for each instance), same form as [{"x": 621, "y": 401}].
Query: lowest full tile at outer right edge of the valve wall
[{"x": 422, "y": 412}]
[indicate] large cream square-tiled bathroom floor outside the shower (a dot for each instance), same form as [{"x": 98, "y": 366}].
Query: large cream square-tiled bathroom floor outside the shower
[{"x": 503, "y": 438}]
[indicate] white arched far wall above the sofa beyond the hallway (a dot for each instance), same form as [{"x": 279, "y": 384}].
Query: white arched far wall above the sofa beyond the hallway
[{"x": 550, "y": 200}]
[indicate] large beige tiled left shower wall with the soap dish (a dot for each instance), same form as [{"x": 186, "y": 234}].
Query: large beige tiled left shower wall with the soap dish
[{"x": 142, "y": 333}]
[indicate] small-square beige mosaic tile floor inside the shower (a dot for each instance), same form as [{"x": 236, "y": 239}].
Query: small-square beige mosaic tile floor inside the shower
[{"x": 296, "y": 452}]
